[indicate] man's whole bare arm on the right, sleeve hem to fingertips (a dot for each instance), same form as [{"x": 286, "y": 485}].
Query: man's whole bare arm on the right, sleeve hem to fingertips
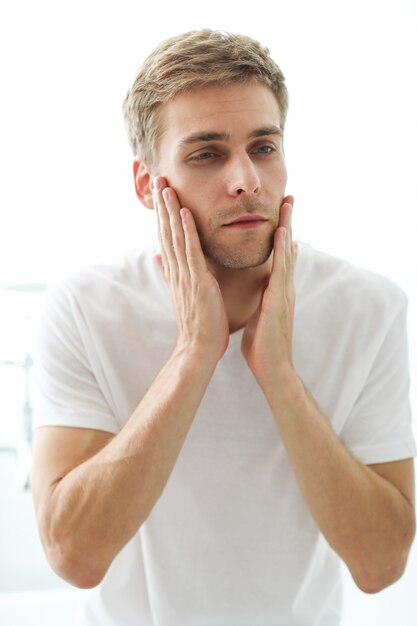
[{"x": 365, "y": 513}]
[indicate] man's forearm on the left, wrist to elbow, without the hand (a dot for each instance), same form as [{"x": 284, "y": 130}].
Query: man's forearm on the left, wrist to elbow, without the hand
[{"x": 97, "y": 507}]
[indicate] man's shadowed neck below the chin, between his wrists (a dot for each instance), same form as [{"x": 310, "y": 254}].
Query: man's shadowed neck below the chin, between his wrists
[{"x": 242, "y": 291}]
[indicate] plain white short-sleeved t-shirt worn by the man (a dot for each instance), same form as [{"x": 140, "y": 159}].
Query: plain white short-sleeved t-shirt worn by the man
[{"x": 231, "y": 541}]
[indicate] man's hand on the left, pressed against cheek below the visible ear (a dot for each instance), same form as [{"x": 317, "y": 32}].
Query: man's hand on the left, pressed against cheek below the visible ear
[{"x": 199, "y": 308}]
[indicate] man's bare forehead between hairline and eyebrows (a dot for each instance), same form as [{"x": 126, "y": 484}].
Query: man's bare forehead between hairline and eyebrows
[{"x": 236, "y": 109}]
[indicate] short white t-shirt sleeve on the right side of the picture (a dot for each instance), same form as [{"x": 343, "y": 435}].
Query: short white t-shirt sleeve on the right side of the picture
[{"x": 379, "y": 428}]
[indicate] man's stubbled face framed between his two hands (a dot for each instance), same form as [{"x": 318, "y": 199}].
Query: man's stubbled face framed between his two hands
[{"x": 221, "y": 150}]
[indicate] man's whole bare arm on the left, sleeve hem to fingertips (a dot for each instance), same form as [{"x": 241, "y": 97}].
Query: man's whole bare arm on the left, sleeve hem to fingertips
[{"x": 92, "y": 490}]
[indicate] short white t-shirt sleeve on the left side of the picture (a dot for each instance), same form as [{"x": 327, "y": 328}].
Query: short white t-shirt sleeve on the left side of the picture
[{"x": 67, "y": 392}]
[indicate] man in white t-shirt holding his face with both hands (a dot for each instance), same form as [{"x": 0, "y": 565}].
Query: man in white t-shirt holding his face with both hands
[{"x": 209, "y": 450}]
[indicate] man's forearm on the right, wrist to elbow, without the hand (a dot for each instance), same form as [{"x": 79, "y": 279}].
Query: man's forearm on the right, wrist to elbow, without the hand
[{"x": 365, "y": 518}]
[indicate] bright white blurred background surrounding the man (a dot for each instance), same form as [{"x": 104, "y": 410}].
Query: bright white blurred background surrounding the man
[{"x": 67, "y": 197}]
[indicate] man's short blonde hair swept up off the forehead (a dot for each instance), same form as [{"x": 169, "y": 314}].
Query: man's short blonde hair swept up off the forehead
[{"x": 194, "y": 59}]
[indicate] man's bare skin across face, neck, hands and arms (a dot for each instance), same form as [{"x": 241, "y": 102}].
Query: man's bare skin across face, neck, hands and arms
[{"x": 366, "y": 513}]
